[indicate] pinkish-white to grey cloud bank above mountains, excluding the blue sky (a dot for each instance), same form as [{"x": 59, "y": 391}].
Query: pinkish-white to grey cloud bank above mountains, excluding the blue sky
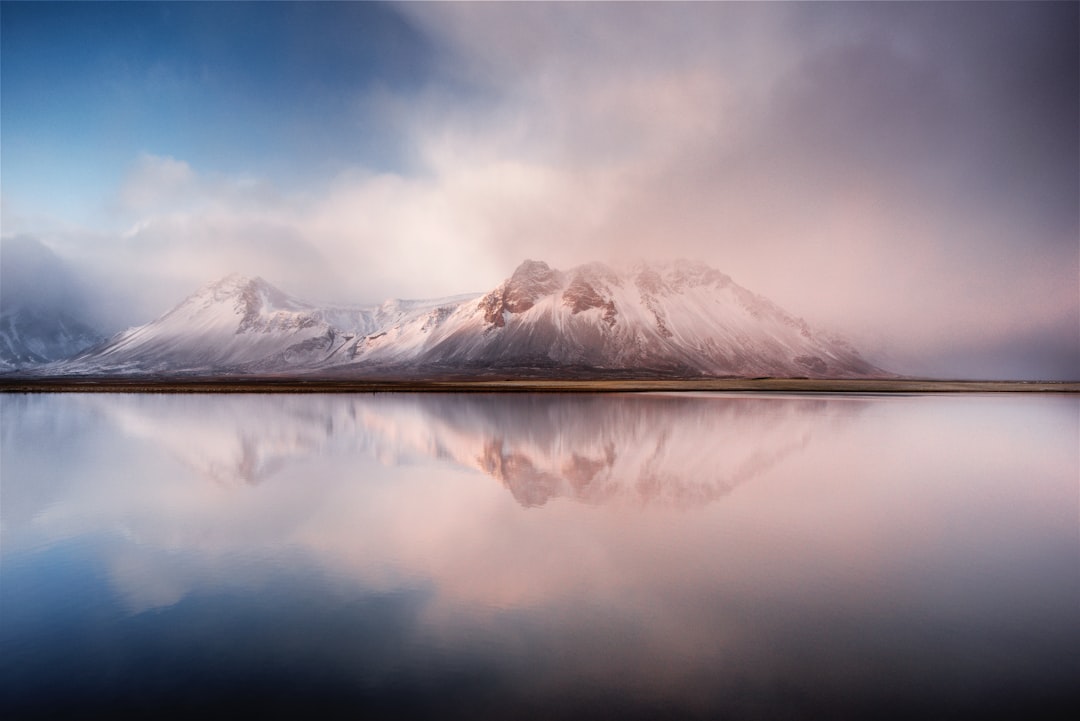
[{"x": 904, "y": 174}]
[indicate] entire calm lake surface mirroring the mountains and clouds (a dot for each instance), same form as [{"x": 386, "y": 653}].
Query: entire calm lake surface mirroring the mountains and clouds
[{"x": 548, "y": 556}]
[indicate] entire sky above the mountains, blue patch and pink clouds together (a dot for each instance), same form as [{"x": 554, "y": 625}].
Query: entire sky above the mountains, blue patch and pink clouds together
[{"x": 904, "y": 174}]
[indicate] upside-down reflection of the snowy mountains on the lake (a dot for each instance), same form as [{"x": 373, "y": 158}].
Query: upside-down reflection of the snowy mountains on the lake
[{"x": 666, "y": 450}]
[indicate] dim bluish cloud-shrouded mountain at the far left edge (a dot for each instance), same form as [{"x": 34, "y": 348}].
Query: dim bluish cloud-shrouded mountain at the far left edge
[{"x": 43, "y": 305}]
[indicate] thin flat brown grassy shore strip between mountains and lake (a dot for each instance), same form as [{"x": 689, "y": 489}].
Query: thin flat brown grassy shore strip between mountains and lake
[{"x": 518, "y": 386}]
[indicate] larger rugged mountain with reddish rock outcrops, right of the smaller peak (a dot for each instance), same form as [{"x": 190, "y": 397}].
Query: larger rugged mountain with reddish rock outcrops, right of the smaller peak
[{"x": 683, "y": 318}]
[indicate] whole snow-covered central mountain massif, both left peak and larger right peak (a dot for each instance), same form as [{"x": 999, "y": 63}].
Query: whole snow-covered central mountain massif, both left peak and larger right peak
[{"x": 682, "y": 319}]
